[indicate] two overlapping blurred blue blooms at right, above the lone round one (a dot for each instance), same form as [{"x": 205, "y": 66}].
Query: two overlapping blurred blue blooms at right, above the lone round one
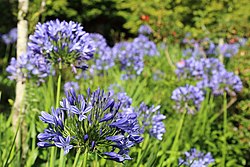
[{"x": 211, "y": 73}]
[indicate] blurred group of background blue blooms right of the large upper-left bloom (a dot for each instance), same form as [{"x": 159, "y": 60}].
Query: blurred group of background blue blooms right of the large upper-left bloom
[{"x": 129, "y": 56}]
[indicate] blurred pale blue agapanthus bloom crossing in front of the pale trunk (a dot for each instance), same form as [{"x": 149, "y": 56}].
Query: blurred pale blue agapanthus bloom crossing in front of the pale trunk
[{"x": 29, "y": 65}]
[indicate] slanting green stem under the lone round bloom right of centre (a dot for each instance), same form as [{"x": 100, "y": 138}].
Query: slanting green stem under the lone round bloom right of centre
[{"x": 176, "y": 140}]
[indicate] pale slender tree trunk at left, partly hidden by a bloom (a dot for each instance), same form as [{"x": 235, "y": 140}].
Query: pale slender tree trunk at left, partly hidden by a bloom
[{"x": 22, "y": 38}]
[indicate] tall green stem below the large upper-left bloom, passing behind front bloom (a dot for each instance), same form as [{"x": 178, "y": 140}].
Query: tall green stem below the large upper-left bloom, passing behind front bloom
[{"x": 54, "y": 149}]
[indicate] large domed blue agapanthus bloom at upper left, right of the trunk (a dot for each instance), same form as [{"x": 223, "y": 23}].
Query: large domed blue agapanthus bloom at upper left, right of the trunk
[{"x": 64, "y": 42}]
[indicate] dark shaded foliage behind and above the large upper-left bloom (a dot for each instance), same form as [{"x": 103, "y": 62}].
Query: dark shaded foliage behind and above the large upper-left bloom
[{"x": 96, "y": 16}]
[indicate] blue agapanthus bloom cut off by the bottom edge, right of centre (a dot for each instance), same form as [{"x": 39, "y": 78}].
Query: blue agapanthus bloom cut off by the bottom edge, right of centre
[{"x": 195, "y": 158}]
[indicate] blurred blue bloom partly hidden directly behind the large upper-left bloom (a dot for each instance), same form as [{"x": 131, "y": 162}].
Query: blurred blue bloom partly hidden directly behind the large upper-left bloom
[{"x": 104, "y": 59}]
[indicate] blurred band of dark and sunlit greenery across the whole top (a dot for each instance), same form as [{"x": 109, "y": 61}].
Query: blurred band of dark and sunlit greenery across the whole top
[{"x": 118, "y": 19}]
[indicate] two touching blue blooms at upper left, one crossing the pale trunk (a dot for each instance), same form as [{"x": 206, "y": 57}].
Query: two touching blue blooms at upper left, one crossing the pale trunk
[{"x": 52, "y": 43}]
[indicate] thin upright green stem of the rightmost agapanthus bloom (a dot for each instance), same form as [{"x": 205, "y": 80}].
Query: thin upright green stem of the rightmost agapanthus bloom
[{"x": 224, "y": 150}]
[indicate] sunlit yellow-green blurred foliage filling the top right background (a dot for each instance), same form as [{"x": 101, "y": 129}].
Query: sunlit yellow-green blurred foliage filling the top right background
[{"x": 172, "y": 19}]
